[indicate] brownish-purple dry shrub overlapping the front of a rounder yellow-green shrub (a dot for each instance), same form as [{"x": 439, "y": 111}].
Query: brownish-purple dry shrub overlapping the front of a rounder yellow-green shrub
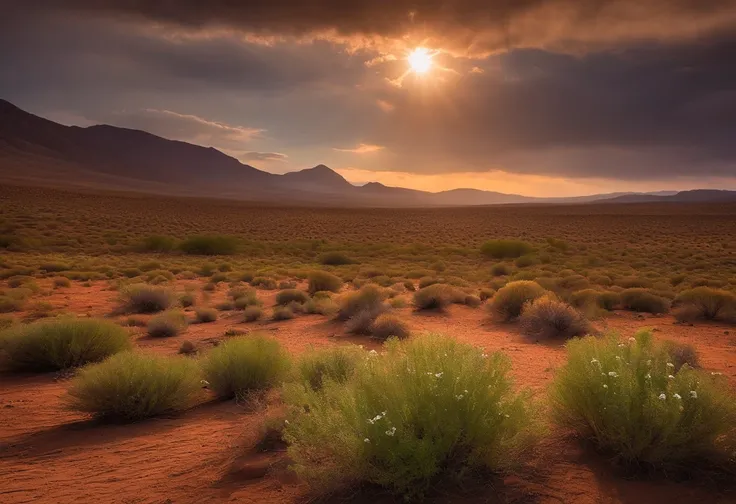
[{"x": 548, "y": 318}]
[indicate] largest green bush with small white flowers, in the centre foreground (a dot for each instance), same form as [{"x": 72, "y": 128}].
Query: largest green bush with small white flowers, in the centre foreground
[{"x": 430, "y": 409}]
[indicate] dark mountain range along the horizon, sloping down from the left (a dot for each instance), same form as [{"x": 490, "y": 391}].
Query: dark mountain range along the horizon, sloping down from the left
[{"x": 37, "y": 151}]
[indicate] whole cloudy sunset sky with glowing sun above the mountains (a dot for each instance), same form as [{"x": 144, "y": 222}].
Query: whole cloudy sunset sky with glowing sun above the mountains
[{"x": 534, "y": 97}]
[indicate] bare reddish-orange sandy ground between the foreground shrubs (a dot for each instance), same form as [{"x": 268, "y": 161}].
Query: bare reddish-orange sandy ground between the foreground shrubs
[{"x": 206, "y": 455}]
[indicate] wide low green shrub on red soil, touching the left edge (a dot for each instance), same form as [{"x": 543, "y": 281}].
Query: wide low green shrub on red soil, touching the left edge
[{"x": 62, "y": 343}]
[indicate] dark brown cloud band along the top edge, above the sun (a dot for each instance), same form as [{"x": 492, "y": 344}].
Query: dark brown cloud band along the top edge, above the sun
[{"x": 465, "y": 25}]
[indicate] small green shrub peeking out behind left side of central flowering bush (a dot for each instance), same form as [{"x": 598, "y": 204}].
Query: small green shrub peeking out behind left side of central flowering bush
[{"x": 336, "y": 363}]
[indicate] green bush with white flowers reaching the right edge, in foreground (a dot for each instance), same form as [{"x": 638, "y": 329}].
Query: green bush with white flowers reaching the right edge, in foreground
[{"x": 629, "y": 399}]
